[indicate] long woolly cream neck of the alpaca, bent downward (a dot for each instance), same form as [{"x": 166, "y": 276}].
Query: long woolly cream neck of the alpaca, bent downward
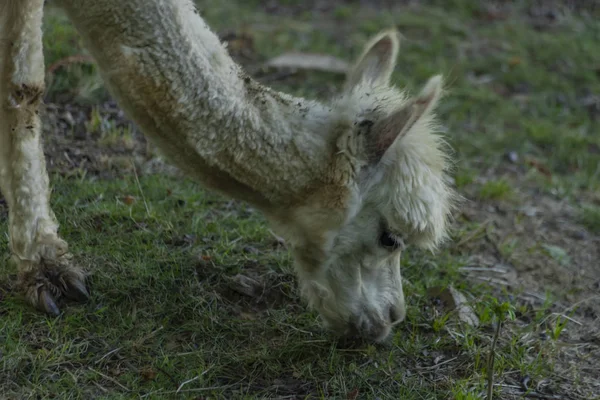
[{"x": 174, "y": 78}]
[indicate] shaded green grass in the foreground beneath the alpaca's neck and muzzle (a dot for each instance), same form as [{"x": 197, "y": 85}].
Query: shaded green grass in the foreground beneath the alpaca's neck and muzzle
[{"x": 162, "y": 310}]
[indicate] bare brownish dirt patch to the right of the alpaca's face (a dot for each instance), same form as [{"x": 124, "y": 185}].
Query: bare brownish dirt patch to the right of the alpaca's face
[{"x": 534, "y": 252}]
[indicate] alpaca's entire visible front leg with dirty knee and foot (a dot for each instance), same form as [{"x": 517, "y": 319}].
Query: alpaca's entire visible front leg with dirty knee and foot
[{"x": 45, "y": 270}]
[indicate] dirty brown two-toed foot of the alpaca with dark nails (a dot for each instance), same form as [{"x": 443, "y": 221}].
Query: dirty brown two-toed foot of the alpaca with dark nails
[{"x": 51, "y": 279}]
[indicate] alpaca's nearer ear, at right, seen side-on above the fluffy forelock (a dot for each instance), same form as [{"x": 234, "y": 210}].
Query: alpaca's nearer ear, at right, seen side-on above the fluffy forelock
[{"x": 389, "y": 130}]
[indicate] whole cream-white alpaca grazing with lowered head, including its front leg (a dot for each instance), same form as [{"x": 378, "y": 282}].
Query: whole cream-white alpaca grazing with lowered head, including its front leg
[{"x": 347, "y": 183}]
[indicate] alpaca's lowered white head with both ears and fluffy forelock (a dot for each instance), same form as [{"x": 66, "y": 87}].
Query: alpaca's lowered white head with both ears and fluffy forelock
[{"x": 386, "y": 187}]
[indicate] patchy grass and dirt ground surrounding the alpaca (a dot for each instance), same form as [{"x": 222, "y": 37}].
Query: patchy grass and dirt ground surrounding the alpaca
[{"x": 193, "y": 297}]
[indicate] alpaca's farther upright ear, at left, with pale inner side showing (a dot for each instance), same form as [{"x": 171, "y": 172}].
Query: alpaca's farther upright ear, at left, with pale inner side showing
[{"x": 377, "y": 61}]
